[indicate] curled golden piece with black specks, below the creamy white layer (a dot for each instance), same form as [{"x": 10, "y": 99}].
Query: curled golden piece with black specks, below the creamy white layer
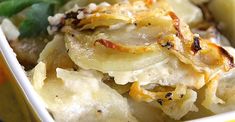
[{"x": 175, "y": 103}]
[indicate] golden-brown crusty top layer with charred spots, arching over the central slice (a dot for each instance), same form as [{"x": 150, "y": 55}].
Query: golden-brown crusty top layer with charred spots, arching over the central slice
[{"x": 176, "y": 37}]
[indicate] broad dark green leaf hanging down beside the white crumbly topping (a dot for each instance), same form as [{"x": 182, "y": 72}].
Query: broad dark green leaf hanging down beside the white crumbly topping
[{"x": 36, "y": 20}]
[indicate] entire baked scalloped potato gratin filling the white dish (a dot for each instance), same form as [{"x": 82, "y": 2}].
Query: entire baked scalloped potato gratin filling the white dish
[{"x": 132, "y": 60}]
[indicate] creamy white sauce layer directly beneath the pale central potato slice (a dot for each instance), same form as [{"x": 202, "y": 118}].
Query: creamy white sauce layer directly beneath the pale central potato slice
[{"x": 169, "y": 72}]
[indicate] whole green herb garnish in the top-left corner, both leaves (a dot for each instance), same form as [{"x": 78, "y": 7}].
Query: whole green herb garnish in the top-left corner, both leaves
[{"x": 35, "y": 22}]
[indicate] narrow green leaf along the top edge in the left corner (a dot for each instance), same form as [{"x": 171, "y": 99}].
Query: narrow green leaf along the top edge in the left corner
[{"x": 11, "y": 7}]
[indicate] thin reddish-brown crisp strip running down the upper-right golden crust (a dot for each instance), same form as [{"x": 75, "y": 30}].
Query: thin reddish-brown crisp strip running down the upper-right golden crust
[{"x": 176, "y": 23}]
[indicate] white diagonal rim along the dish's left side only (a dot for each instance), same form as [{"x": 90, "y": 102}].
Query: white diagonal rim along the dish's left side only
[{"x": 22, "y": 80}]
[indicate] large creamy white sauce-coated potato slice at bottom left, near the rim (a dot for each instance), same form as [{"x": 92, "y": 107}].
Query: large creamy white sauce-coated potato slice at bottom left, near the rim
[{"x": 92, "y": 100}]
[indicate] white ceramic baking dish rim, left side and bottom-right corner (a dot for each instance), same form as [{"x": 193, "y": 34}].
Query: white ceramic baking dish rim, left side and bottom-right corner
[{"x": 38, "y": 105}]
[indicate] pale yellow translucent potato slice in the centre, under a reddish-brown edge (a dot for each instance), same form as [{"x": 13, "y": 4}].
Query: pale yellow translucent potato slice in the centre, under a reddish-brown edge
[{"x": 82, "y": 51}]
